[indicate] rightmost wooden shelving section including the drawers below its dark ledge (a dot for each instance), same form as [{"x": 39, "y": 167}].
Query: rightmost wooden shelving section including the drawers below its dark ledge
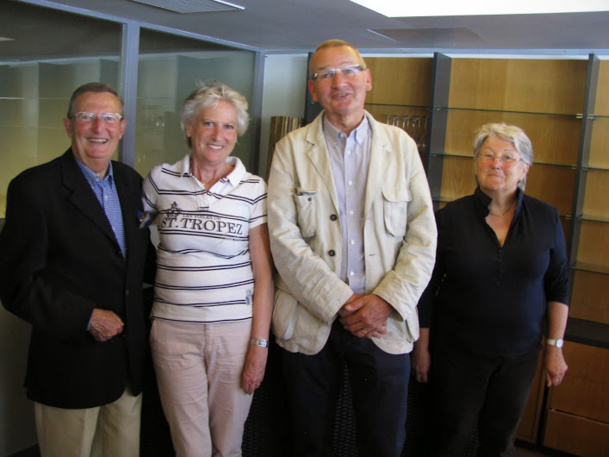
[{"x": 577, "y": 418}]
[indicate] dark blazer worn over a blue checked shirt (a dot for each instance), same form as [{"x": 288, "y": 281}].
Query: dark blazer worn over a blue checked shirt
[{"x": 59, "y": 259}]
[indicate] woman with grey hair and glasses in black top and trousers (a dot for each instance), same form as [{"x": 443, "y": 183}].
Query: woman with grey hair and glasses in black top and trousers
[{"x": 500, "y": 281}]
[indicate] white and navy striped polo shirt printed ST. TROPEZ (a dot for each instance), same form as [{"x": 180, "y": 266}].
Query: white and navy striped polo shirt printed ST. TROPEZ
[{"x": 204, "y": 271}]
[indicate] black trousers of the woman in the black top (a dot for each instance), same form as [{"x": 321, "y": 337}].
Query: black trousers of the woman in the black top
[{"x": 470, "y": 390}]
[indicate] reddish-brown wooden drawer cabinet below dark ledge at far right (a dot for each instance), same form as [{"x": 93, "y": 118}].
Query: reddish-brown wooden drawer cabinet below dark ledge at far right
[{"x": 578, "y": 409}]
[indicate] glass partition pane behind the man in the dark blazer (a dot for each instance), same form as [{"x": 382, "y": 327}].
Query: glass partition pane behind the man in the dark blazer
[{"x": 38, "y": 76}]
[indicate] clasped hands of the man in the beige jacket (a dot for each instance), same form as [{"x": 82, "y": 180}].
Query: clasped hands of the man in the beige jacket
[{"x": 365, "y": 316}]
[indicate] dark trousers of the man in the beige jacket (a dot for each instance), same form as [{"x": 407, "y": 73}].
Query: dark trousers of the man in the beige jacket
[{"x": 379, "y": 389}]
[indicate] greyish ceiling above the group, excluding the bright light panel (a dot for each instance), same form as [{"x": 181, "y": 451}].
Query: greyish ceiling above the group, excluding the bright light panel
[{"x": 300, "y": 25}]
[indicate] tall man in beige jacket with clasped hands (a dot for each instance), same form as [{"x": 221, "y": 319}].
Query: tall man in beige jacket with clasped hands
[{"x": 353, "y": 239}]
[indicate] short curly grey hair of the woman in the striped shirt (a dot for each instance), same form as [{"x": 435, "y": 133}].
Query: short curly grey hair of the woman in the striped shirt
[{"x": 208, "y": 95}]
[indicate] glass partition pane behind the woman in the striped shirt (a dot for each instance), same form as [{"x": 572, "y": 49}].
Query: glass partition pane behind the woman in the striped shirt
[{"x": 169, "y": 69}]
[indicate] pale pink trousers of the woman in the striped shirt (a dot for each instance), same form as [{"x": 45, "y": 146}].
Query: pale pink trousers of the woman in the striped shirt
[{"x": 199, "y": 368}]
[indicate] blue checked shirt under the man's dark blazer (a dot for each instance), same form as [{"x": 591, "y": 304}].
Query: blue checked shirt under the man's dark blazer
[{"x": 105, "y": 191}]
